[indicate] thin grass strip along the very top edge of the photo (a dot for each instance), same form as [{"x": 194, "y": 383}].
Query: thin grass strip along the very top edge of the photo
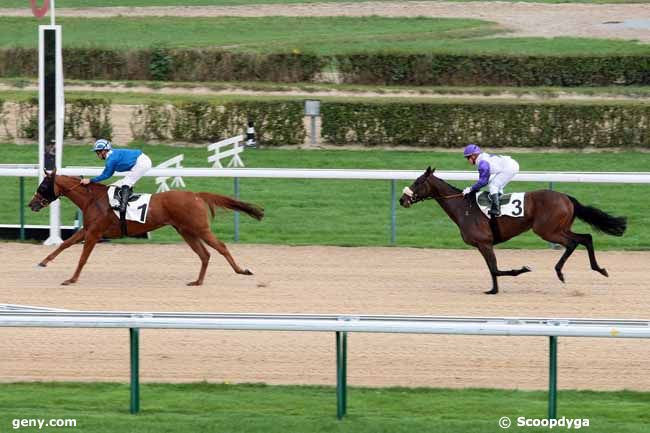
[{"x": 108, "y": 3}]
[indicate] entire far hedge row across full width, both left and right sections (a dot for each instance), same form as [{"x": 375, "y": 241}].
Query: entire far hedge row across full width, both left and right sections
[{"x": 160, "y": 63}]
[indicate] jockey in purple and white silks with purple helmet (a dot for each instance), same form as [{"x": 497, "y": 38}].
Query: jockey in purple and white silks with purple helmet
[{"x": 502, "y": 168}]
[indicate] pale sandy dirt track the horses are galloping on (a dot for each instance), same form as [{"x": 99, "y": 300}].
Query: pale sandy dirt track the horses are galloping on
[{"x": 325, "y": 280}]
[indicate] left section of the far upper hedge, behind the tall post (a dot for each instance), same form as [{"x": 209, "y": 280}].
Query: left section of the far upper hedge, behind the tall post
[{"x": 159, "y": 63}]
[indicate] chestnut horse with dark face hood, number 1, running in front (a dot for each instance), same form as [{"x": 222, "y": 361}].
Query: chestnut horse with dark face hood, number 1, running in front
[{"x": 185, "y": 211}]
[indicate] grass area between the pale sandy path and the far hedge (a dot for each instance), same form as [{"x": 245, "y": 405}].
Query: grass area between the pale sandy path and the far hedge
[{"x": 325, "y": 35}]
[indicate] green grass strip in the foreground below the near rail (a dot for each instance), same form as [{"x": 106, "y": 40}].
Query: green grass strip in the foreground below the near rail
[{"x": 251, "y": 408}]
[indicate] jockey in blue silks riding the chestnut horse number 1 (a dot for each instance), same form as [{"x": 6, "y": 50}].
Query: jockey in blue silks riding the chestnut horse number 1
[{"x": 132, "y": 161}]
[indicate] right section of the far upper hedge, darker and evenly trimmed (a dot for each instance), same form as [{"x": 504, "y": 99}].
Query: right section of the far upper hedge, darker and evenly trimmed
[{"x": 493, "y": 70}]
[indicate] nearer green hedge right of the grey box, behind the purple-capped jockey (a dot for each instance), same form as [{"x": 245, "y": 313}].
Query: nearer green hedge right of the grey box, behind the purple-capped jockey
[{"x": 491, "y": 124}]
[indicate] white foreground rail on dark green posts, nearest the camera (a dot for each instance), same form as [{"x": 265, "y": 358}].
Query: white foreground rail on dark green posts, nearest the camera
[{"x": 341, "y": 325}]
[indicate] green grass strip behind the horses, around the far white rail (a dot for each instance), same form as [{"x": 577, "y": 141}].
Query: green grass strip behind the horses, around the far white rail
[{"x": 339, "y": 212}]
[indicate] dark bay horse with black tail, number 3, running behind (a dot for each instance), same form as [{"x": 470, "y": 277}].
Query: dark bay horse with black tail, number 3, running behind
[{"x": 549, "y": 213}]
